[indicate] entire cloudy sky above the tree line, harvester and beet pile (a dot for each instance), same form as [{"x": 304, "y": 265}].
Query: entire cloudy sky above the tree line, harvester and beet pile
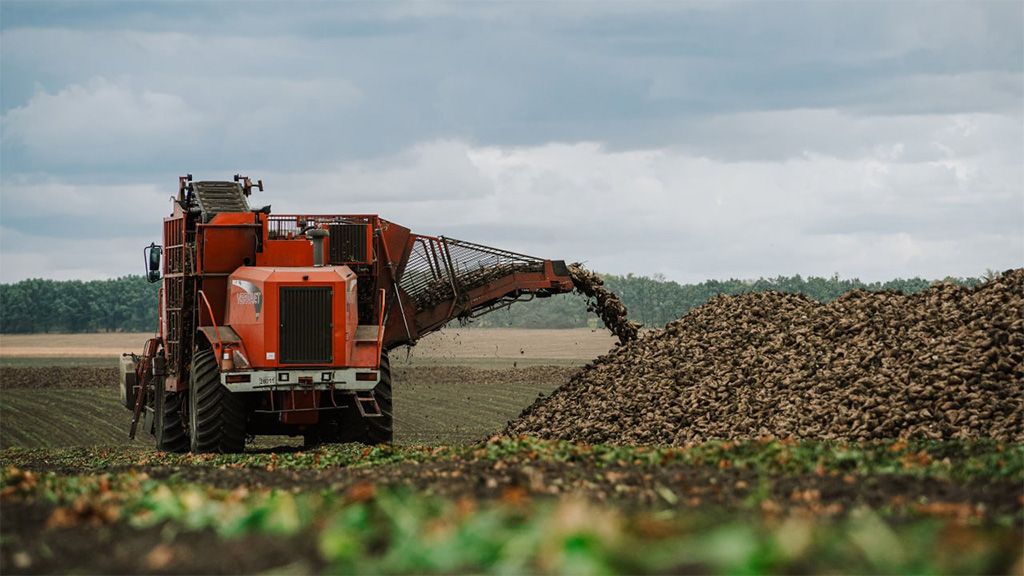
[{"x": 692, "y": 140}]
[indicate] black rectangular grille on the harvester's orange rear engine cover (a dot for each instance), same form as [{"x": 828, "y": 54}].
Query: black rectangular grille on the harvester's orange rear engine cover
[{"x": 306, "y": 325}]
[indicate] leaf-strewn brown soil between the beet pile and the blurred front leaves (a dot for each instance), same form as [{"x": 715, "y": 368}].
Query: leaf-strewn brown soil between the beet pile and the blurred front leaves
[{"x": 627, "y": 476}]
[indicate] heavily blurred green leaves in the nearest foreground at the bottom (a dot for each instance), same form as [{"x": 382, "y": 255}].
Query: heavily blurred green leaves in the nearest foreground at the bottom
[{"x": 370, "y": 529}]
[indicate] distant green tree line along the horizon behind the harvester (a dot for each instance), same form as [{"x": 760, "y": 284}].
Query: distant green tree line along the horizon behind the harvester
[{"x": 130, "y": 304}]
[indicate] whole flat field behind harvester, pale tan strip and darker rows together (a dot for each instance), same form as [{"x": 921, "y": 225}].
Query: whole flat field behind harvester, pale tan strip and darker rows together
[{"x": 455, "y": 387}]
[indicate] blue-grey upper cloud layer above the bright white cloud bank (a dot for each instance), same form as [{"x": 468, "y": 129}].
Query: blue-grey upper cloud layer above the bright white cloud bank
[{"x": 389, "y": 77}]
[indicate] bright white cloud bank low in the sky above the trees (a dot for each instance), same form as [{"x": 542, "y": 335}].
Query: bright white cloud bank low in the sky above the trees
[{"x": 650, "y": 212}]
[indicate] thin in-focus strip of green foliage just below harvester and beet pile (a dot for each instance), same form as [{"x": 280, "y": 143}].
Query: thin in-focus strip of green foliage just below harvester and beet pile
[{"x": 960, "y": 461}]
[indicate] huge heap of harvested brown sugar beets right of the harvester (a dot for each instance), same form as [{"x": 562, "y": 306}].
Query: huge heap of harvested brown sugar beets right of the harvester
[{"x": 947, "y": 363}]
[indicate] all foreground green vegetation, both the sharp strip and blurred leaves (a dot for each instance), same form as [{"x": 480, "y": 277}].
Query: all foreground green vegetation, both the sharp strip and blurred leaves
[{"x": 372, "y": 527}]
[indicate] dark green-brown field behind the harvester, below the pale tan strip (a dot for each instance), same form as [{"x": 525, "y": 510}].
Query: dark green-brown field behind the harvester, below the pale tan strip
[{"x": 79, "y": 406}]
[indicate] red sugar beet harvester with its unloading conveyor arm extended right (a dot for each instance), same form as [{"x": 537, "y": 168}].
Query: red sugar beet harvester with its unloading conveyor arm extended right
[{"x": 282, "y": 324}]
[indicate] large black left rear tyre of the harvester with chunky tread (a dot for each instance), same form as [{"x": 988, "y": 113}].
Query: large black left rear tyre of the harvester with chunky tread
[{"x": 217, "y": 417}]
